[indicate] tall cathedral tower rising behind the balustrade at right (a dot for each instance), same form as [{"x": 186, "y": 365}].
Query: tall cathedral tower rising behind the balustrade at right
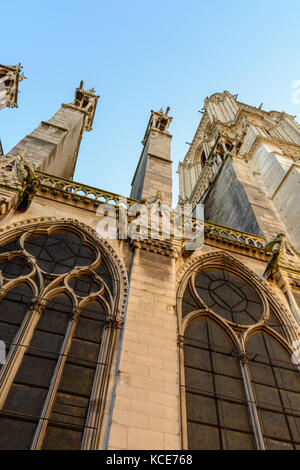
[{"x": 243, "y": 164}]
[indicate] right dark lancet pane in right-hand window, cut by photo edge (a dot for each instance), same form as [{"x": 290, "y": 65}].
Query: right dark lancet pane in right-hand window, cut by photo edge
[{"x": 277, "y": 388}]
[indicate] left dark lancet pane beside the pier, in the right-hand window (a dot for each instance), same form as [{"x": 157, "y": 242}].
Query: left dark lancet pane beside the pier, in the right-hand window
[{"x": 217, "y": 413}]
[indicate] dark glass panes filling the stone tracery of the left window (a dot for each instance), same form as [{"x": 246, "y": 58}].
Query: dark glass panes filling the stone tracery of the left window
[{"x": 55, "y": 343}]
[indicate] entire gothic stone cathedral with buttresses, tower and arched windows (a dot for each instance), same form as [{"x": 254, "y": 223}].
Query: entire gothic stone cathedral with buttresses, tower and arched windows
[{"x": 133, "y": 340}]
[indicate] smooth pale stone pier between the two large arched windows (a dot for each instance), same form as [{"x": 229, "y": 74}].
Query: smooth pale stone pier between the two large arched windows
[{"x": 146, "y": 408}]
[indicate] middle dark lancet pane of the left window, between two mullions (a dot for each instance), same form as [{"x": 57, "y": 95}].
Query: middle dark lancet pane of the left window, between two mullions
[{"x": 28, "y": 392}]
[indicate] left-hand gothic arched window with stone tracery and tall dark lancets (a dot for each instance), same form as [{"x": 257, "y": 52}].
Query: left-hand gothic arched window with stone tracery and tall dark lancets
[{"x": 58, "y": 302}]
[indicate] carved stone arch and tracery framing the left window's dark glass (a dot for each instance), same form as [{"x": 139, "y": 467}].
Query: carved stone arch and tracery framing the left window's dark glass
[{"x": 99, "y": 406}]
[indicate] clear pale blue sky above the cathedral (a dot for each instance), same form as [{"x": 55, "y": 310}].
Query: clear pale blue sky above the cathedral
[{"x": 141, "y": 55}]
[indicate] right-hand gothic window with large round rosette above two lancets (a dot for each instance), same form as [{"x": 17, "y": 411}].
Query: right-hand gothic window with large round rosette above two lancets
[{"x": 240, "y": 387}]
